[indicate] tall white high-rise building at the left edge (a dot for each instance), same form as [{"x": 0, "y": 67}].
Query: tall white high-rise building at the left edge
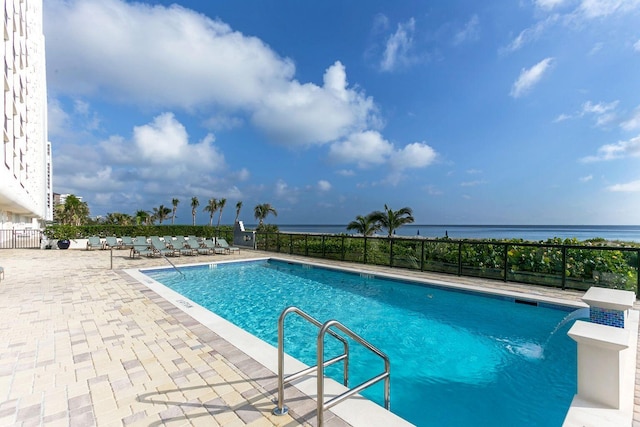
[{"x": 26, "y": 197}]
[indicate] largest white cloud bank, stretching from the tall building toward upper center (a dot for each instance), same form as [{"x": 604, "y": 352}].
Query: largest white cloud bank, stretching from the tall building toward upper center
[{"x": 172, "y": 57}]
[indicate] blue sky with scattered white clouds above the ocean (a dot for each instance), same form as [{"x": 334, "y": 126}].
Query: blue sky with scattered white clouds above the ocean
[{"x": 468, "y": 112}]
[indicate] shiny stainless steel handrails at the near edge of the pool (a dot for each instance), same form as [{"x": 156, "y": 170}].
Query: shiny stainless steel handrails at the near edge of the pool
[{"x": 325, "y": 328}]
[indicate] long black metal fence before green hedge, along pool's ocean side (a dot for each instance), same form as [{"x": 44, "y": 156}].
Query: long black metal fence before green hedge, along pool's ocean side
[{"x": 548, "y": 264}]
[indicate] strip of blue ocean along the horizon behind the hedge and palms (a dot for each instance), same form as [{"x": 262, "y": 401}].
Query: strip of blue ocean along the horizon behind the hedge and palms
[{"x": 626, "y": 233}]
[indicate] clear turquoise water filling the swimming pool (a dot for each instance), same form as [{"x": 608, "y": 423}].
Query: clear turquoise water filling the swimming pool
[{"x": 457, "y": 358}]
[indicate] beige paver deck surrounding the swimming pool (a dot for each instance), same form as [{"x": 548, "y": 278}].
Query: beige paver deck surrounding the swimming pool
[{"x": 84, "y": 344}]
